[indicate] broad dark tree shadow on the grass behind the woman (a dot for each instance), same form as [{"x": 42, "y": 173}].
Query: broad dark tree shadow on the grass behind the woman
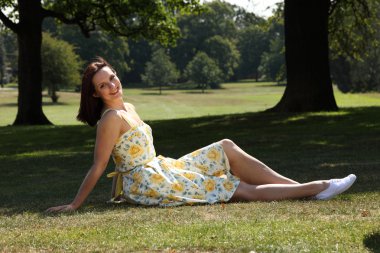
[{"x": 43, "y": 166}]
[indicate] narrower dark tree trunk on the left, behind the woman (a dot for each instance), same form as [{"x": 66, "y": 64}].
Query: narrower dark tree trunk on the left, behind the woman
[{"x": 29, "y": 64}]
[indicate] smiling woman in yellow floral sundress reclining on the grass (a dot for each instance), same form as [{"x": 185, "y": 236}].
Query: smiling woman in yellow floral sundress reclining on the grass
[{"x": 220, "y": 172}]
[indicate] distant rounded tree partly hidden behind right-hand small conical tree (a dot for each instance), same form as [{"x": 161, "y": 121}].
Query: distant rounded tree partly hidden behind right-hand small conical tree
[{"x": 224, "y": 53}]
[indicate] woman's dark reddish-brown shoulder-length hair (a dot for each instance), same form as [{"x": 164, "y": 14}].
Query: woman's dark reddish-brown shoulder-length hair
[{"x": 90, "y": 106}]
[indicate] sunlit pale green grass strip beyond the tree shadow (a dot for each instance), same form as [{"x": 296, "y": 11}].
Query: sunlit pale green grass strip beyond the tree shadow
[{"x": 172, "y": 104}]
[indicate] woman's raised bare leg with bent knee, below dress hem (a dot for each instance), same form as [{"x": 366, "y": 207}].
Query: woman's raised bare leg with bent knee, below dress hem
[{"x": 249, "y": 169}]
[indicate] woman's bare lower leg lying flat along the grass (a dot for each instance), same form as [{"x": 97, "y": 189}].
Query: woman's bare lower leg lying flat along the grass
[{"x": 269, "y": 192}]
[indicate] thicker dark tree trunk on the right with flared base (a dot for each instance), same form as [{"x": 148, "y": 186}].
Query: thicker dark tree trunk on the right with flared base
[{"x": 309, "y": 86}]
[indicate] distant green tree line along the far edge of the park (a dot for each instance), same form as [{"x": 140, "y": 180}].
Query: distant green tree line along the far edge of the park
[{"x": 222, "y": 43}]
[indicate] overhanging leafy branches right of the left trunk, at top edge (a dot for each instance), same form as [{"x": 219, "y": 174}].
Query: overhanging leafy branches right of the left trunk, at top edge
[{"x": 153, "y": 20}]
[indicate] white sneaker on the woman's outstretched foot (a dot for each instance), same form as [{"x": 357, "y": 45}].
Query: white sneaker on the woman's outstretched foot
[{"x": 337, "y": 186}]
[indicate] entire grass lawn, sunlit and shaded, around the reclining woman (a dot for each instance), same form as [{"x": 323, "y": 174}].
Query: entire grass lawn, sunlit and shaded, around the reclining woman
[{"x": 43, "y": 166}]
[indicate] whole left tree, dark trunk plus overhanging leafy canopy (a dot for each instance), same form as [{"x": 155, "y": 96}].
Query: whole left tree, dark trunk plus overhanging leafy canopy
[{"x": 155, "y": 20}]
